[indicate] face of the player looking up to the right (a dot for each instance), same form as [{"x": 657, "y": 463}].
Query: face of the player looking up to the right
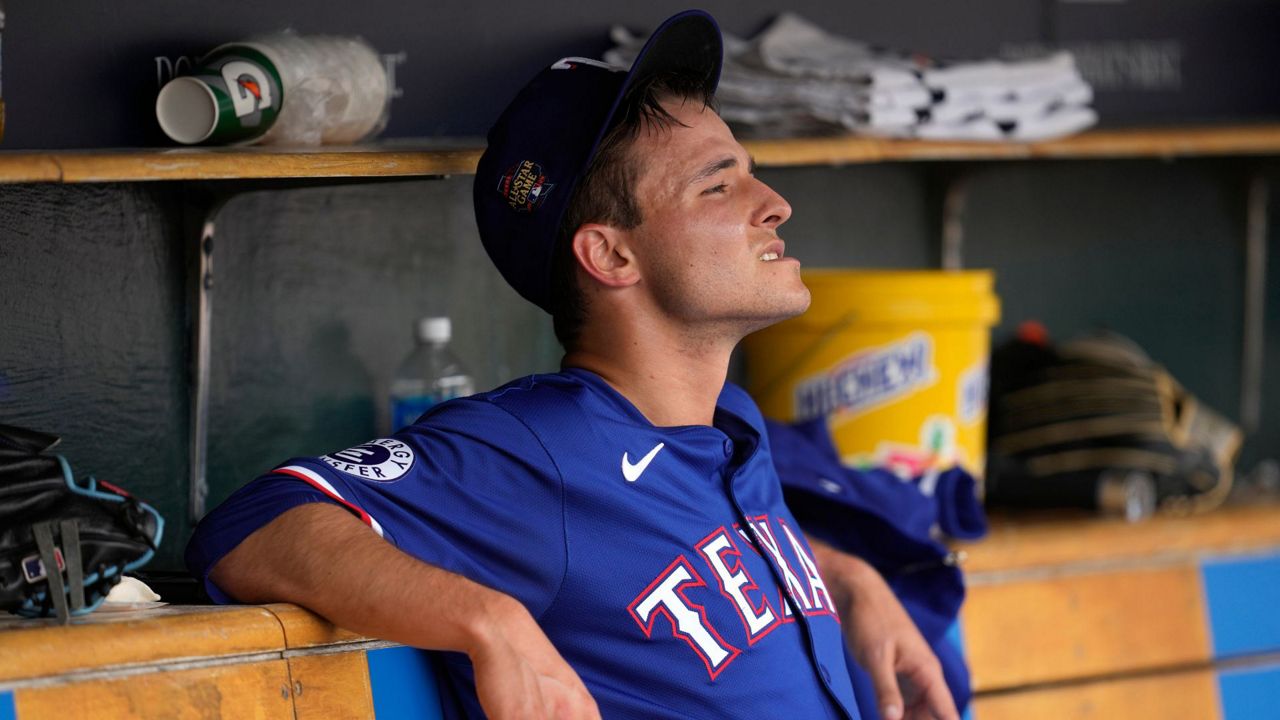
[{"x": 708, "y": 245}]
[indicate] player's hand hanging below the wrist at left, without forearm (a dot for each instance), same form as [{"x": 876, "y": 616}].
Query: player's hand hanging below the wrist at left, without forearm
[{"x": 520, "y": 675}]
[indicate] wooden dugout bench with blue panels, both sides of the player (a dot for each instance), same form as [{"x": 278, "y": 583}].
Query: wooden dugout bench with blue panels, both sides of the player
[{"x": 1066, "y": 618}]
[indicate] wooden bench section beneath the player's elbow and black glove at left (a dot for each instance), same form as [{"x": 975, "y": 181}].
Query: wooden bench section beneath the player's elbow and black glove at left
[{"x": 272, "y": 662}]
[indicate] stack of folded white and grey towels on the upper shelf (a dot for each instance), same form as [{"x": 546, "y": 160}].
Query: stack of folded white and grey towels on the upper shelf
[{"x": 798, "y": 80}]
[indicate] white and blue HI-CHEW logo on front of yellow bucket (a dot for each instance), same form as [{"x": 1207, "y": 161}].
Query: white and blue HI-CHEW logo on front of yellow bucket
[{"x": 868, "y": 380}]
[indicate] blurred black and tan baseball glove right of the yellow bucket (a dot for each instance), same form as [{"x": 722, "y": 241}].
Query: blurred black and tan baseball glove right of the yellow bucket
[{"x": 1068, "y": 422}]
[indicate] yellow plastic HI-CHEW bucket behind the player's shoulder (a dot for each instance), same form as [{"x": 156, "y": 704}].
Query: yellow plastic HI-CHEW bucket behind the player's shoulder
[{"x": 895, "y": 361}]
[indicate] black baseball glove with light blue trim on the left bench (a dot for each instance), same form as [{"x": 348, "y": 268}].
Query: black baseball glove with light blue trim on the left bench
[{"x": 63, "y": 545}]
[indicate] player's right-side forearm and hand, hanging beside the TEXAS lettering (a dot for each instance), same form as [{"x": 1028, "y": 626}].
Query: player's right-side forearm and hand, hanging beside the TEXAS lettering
[{"x": 885, "y": 641}]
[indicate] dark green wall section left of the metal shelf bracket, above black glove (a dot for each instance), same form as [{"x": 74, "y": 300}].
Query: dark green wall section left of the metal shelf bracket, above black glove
[{"x": 92, "y": 332}]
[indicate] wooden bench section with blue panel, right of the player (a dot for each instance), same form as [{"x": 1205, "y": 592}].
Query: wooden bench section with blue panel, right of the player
[{"x": 1092, "y": 618}]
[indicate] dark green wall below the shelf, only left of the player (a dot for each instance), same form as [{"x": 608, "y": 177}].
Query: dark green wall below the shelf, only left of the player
[{"x": 316, "y": 297}]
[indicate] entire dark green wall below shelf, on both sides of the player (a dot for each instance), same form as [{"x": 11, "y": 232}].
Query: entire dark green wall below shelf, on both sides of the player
[{"x": 317, "y": 291}]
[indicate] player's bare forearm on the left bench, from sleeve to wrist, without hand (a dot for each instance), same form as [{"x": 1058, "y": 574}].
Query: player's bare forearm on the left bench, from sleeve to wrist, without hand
[{"x": 322, "y": 558}]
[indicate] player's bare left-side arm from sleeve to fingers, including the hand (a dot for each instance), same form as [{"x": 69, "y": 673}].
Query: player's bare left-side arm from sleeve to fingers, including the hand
[{"x": 321, "y": 557}]
